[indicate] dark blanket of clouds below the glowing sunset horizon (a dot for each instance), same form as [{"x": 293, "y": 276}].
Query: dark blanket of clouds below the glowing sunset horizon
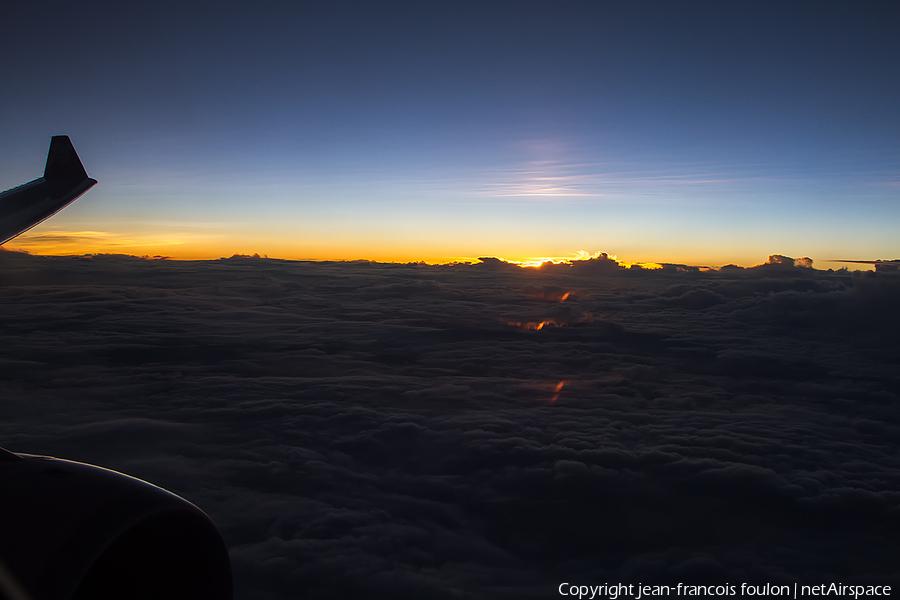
[{"x": 389, "y": 431}]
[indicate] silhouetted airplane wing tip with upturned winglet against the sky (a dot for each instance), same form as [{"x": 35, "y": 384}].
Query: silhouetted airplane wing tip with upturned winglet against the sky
[{"x": 64, "y": 180}]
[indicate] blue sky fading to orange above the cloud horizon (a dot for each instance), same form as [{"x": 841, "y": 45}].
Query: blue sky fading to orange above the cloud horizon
[{"x": 693, "y": 132}]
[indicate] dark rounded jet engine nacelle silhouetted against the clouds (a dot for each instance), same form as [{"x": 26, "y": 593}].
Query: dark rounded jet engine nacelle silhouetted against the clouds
[{"x": 72, "y": 531}]
